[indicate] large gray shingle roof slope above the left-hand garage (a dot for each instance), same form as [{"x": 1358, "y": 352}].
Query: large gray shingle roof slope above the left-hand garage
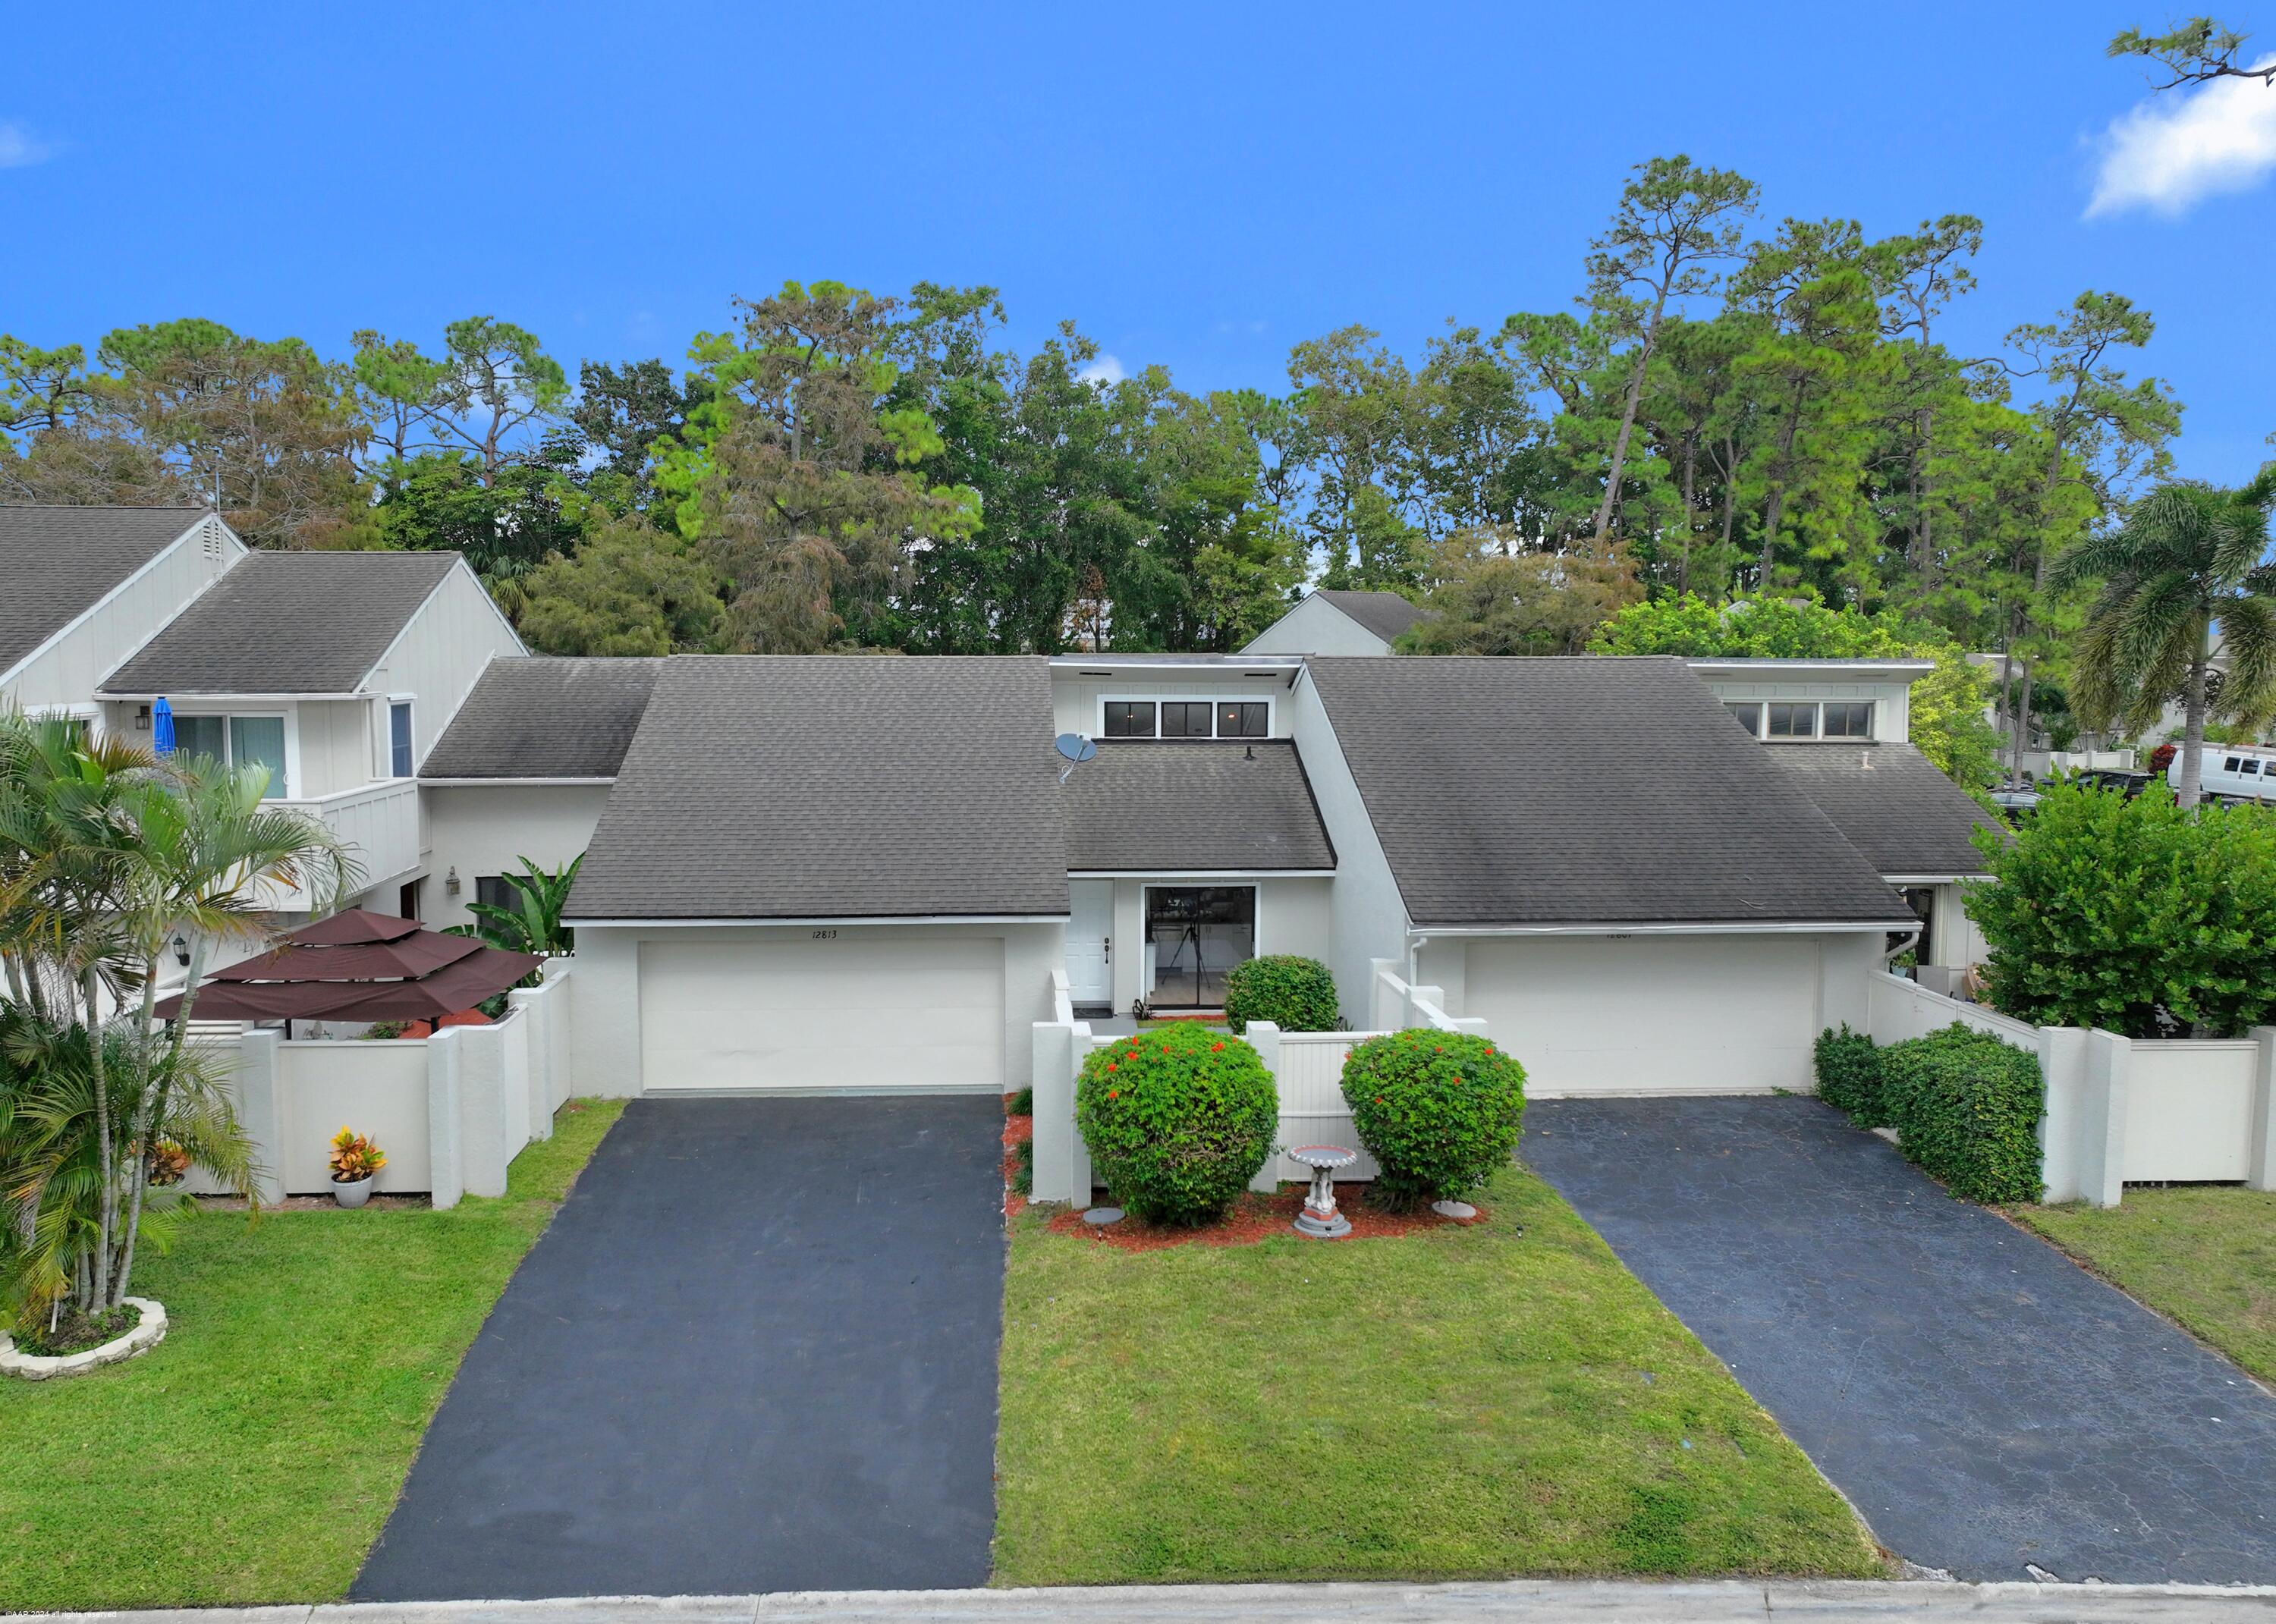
[{"x": 834, "y": 788}]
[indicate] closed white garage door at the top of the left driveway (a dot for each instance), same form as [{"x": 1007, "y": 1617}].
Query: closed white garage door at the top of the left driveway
[{"x": 846, "y": 1013}]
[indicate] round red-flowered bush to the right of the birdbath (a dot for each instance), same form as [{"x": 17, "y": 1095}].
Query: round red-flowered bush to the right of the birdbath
[{"x": 1440, "y": 1113}]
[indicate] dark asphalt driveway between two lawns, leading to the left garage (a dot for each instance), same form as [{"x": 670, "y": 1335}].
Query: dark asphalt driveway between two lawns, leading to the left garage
[{"x": 754, "y": 1352}]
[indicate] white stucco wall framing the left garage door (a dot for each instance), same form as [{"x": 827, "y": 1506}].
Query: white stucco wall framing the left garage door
[{"x": 607, "y": 988}]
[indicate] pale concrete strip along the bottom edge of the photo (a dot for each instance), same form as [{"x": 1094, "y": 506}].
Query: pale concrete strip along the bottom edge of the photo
[{"x": 1481, "y": 1602}]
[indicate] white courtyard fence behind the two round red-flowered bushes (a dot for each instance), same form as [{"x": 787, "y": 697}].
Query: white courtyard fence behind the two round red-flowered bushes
[{"x": 1308, "y": 1072}]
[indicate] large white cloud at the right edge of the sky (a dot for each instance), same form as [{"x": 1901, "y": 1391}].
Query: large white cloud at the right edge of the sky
[{"x": 2175, "y": 151}]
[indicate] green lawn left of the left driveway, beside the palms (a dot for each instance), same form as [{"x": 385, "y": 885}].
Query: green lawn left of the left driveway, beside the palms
[{"x": 258, "y": 1450}]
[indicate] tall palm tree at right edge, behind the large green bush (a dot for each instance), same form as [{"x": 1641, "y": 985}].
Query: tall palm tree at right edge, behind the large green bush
[{"x": 2188, "y": 558}]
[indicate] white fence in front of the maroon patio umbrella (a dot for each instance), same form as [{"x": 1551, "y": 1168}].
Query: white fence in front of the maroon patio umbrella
[{"x": 450, "y": 1111}]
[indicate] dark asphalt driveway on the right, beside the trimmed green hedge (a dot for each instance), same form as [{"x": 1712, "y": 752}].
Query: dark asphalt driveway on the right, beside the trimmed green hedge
[{"x": 1979, "y": 1398}]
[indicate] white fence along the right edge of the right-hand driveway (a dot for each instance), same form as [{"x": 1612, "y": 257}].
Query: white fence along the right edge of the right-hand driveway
[{"x": 2120, "y": 1109}]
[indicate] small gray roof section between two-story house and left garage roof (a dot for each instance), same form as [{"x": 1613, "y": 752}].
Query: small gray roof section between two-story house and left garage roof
[{"x": 545, "y": 720}]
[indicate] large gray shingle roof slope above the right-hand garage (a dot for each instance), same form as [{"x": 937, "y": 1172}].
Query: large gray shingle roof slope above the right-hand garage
[{"x": 1585, "y": 790}]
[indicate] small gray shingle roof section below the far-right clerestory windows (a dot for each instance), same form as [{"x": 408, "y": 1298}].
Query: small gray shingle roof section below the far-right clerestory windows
[{"x": 1892, "y": 804}]
